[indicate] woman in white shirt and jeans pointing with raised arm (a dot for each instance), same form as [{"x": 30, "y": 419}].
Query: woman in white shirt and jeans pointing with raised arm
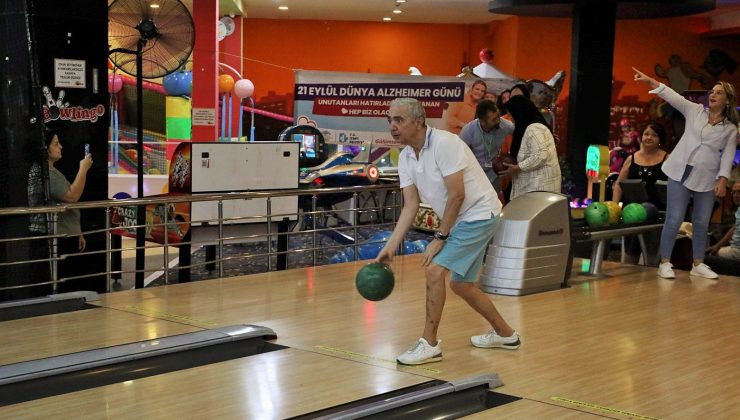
[{"x": 698, "y": 167}]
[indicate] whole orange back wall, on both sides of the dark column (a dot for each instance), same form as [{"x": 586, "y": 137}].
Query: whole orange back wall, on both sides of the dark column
[{"x": 523, "y": 46}]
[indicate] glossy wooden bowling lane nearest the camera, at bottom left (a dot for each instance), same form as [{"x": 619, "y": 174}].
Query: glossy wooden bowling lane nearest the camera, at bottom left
[{"x": 272, "y": 385}]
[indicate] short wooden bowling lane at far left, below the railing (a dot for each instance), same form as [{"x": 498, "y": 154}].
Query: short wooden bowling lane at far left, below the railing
[{"x": 51, "y": 335}]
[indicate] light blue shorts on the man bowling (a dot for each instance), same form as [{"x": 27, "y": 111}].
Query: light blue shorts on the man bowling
[{"x": 465, "y": 249}]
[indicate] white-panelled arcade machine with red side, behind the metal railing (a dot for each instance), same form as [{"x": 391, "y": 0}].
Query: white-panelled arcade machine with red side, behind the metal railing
[{"x": 214, "y": 167}]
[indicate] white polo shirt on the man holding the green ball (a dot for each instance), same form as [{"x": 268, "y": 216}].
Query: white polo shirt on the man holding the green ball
[{"x": 444, "y": 154}]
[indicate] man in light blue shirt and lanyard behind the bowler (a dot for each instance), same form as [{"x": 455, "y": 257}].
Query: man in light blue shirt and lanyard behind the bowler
[{"x": 485, "y": 135}]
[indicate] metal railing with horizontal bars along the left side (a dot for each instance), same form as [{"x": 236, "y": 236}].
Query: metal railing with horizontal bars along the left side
[{"x": 383, "y": 212}]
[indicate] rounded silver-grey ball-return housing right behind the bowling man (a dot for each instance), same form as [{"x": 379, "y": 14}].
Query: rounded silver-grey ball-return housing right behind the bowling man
[{"x": 530, "y": 252}]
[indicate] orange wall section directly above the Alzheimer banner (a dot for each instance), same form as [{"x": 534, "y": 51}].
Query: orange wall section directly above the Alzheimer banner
[{"x": 273, "y": 48}]
